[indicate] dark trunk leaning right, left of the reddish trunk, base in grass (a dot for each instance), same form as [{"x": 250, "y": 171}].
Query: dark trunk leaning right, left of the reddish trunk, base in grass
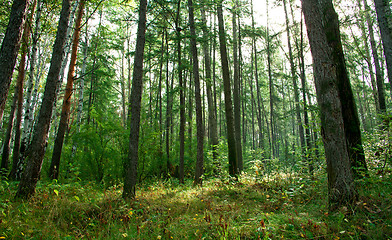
[{"x": 32, "y": 172}]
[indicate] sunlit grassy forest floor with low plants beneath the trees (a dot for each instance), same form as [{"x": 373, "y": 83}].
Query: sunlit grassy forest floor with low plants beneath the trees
[{"x": 283, "y": 207}]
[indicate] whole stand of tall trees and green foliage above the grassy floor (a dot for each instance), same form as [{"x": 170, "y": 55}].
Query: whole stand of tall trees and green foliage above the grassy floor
[{"x": 191, "y": 89}]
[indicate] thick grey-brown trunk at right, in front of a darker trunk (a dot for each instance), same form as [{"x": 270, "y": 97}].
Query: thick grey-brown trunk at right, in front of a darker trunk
[{"x": 340, "y": 178}]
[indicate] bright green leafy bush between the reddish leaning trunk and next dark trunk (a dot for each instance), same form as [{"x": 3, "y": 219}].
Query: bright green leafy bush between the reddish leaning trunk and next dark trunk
[{"x": 101, "y": 151}]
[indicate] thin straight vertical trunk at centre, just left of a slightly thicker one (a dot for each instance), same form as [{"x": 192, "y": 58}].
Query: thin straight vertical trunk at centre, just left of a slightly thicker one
[{"x": 182, "y": 94}]
